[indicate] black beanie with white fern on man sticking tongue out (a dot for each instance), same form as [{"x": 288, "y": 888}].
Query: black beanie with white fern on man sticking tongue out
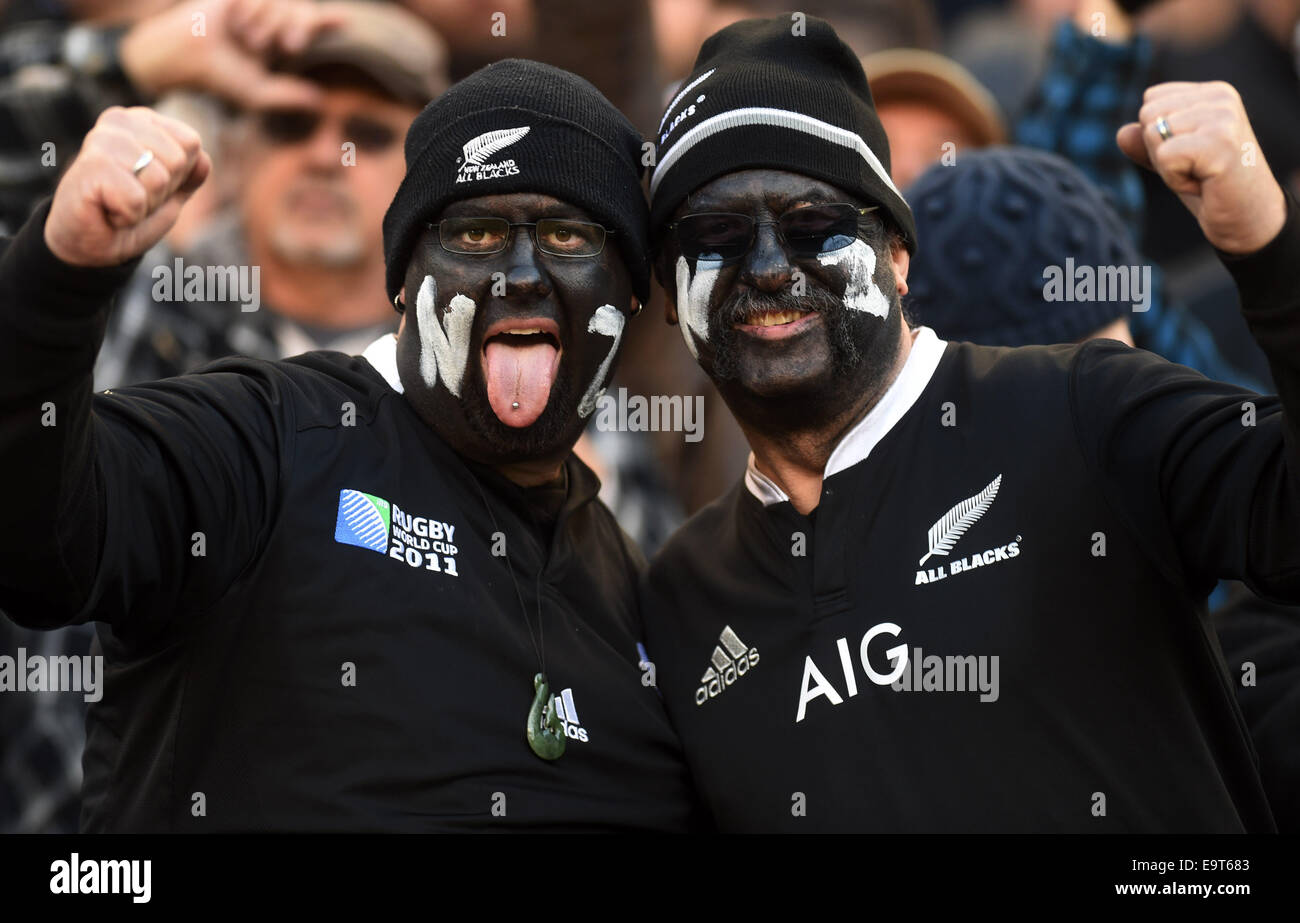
[{"x": 522, "y": 127}]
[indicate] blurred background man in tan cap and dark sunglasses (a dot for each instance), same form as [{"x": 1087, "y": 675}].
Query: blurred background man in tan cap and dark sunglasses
[{"x": 307, "y": 185}]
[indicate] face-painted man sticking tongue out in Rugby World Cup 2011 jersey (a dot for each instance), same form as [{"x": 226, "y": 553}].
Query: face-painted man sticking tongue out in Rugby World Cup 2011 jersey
[{"x": 353, "y": 592}]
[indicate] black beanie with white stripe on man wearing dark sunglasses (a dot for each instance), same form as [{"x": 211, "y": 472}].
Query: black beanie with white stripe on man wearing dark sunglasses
[{"x": 764, "y": 96}]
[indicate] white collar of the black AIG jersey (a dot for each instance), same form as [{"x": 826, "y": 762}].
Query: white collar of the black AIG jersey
[{"x": 928, "y": 349}]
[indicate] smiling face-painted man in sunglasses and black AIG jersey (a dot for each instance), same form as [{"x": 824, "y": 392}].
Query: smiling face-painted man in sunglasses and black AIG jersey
[{"x": 960, "y": 588}]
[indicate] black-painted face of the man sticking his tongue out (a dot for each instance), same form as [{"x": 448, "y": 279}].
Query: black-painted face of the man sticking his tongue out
[{"x": 530, "y": 337}]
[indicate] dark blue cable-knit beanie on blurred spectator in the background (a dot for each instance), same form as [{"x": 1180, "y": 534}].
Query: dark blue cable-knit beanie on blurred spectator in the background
[{"x": 995, "y": 222}]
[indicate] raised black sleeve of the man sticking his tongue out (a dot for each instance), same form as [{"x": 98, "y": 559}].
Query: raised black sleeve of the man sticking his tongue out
[{"x": 106, "y": 496}]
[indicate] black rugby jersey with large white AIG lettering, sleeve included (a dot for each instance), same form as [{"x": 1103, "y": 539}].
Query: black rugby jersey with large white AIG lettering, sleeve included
[{"x": 995, "y": 621}]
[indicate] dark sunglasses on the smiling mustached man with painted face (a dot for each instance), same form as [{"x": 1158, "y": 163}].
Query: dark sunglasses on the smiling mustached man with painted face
[{"x": 807, "y": 232}]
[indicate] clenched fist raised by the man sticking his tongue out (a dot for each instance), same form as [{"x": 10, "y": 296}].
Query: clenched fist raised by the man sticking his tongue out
[{"x": 105, "y": 213}]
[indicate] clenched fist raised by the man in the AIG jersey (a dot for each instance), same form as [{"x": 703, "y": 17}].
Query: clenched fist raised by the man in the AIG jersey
[{"x": 1211, "y": 159}]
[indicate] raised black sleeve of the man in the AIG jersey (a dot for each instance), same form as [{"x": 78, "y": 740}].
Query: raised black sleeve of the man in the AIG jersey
[{"x": 1207, "y": 475}]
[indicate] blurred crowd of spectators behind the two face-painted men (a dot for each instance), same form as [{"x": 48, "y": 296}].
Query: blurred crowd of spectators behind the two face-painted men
[{"x": 307, "y": 149}]
